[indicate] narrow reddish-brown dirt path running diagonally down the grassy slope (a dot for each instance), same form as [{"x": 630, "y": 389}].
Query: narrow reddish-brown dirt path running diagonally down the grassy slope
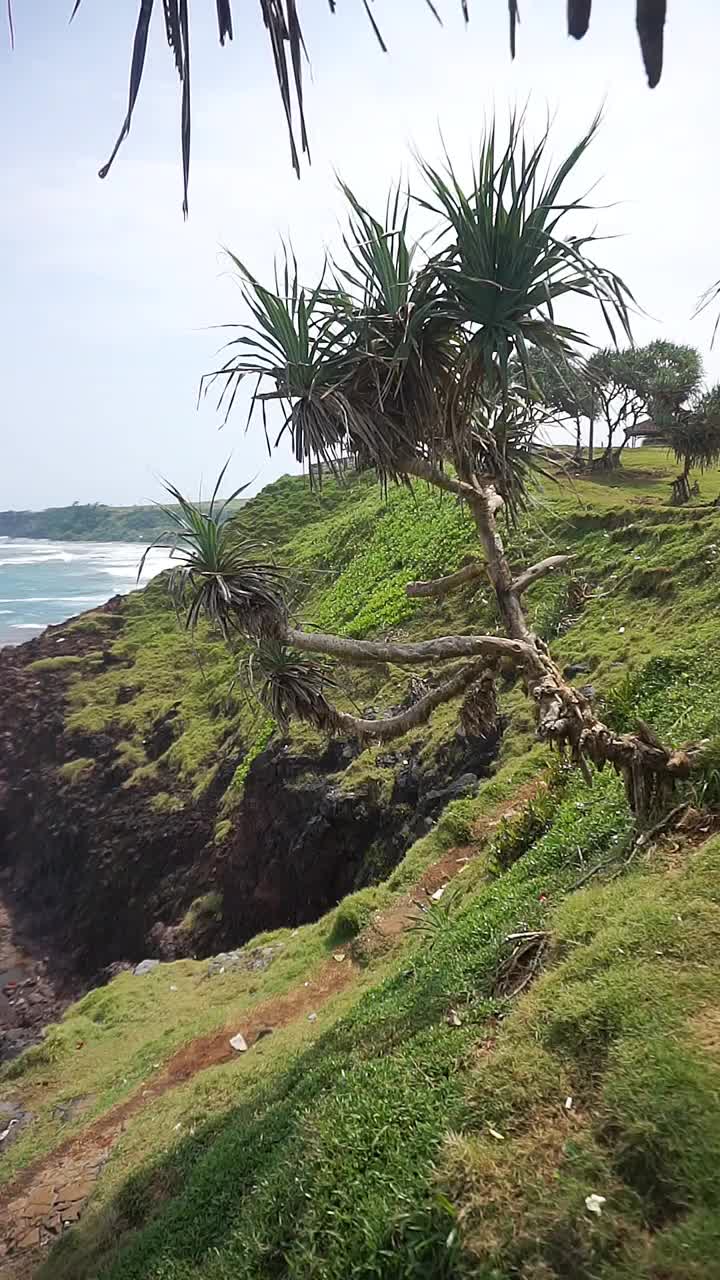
[{"x": 51, "y": 1195}]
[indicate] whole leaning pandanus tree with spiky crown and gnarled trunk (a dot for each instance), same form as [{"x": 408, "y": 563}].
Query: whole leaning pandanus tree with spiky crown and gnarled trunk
[{"x": 417, "y": 364}]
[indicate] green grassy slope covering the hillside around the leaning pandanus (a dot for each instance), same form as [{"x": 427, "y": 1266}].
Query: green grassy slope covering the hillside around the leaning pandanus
[{"x": 382, "y": 1140}]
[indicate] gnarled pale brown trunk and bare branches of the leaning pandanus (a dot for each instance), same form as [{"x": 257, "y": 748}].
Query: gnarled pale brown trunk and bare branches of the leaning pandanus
[{"x": 566, "y": 716}]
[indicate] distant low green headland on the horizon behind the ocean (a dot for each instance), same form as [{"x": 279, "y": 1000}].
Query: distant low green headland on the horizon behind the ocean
[{"x": 90, "y": 522}]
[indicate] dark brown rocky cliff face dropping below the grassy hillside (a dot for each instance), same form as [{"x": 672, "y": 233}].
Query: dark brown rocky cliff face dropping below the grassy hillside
[{"x": 95, "y": 876}]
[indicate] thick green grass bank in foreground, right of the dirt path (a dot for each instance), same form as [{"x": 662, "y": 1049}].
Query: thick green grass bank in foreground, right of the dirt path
[{"x": 358, "y": 1153}]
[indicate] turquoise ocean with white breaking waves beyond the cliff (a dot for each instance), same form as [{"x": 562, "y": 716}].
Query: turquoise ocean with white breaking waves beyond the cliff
[{"x": 44, "y": 583}]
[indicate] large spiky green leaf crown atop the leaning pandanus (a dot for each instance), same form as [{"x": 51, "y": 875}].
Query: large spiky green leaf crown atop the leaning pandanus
[{"x": 422, "y": 349}]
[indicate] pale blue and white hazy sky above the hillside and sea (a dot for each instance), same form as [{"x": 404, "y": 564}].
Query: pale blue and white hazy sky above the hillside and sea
[{"x": 111, "y": 300}]
